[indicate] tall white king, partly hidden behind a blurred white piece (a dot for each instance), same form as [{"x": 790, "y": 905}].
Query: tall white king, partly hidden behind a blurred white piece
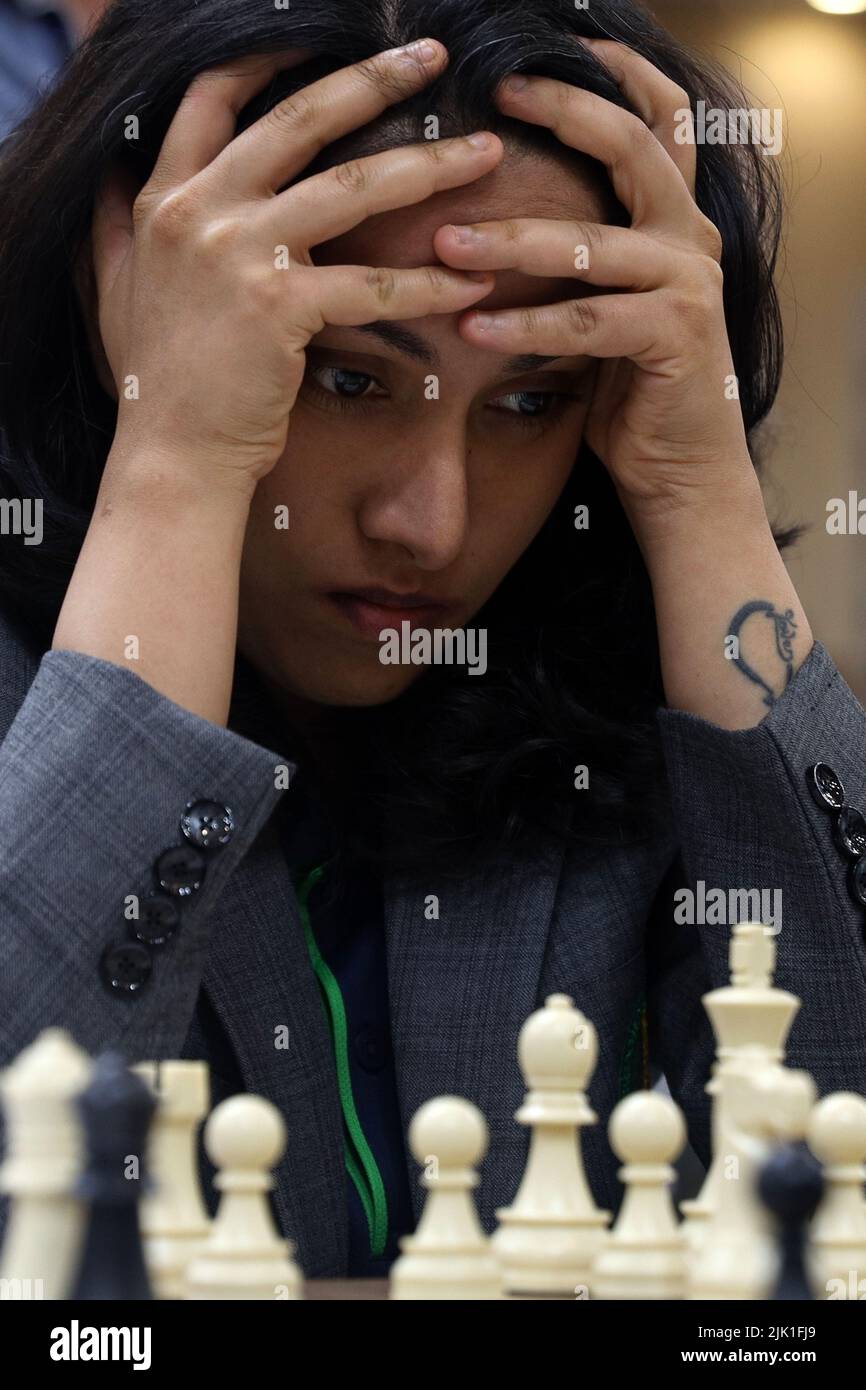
[{"x": 751, "y": 1020}]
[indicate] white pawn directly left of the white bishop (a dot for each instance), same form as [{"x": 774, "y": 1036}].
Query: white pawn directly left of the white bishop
[{"x": 450, "y": 1256}]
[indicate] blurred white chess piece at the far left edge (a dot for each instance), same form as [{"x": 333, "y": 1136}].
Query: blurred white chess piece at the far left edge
[{"x": 45, "y": 1156}]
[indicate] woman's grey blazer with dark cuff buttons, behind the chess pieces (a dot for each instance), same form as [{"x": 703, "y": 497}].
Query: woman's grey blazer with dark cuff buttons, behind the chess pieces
[{"x": 97, "y": 769}]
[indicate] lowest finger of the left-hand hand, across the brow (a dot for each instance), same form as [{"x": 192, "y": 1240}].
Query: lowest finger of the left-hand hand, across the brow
[{"x": 352, "y": 295}]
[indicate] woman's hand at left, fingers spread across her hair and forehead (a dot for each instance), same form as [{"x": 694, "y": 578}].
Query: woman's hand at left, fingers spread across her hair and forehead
[{"x": 204, "y": 333}]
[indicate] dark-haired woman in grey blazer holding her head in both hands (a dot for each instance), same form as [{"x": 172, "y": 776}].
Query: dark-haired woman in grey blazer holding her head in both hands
[{"x": 248, "y": 370}]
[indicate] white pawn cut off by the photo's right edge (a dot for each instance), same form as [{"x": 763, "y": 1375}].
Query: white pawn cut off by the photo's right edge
[{"x": 838, "y": 1254}]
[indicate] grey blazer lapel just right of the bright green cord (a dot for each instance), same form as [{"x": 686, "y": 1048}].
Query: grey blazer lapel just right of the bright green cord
[{"x": 462, "y": 985}]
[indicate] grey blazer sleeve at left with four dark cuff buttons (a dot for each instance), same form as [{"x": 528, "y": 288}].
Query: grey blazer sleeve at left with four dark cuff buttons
[{"x": 97, "y": 771}]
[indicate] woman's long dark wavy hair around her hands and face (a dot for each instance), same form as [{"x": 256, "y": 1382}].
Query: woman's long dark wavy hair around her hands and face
[{"x": 573, "y": 678}]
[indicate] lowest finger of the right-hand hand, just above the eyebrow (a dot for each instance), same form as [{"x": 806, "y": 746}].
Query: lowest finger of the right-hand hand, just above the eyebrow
[{"x": 604, "y": 326}]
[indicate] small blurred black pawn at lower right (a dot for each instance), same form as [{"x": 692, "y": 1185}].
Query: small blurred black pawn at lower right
[{"x": 792, "y": 1185}]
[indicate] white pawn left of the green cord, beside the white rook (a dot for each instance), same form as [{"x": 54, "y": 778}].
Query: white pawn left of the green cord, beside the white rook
[{"x": 245, "y": 1256}]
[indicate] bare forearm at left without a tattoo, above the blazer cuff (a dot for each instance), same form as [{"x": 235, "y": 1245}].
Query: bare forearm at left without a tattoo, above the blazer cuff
[{"x": 156, "y": 584}]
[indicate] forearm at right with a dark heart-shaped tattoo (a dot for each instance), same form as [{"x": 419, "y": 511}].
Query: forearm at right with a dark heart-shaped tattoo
[{"x": 732, "y": 629}]
